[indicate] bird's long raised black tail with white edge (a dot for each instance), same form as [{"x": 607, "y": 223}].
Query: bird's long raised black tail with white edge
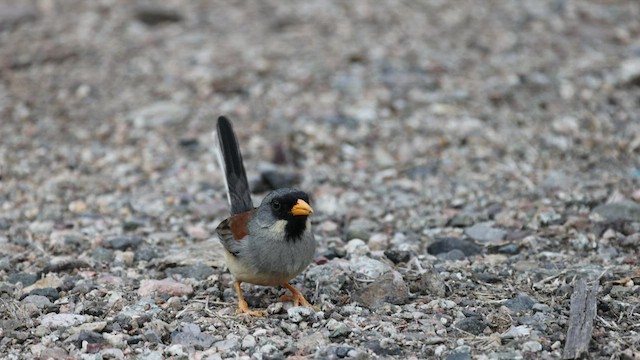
[{"x": 230, "y": 161}]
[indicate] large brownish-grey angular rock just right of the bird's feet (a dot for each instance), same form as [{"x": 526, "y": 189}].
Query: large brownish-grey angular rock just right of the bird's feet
[{"x": 388, "y": 288}]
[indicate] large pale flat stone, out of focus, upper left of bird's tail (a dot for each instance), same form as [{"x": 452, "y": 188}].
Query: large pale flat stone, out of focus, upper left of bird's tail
[{"x": 159, "y": 114}]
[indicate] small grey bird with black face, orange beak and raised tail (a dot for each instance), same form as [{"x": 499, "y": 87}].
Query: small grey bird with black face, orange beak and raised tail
[{"x": 268, "y": 245}]
